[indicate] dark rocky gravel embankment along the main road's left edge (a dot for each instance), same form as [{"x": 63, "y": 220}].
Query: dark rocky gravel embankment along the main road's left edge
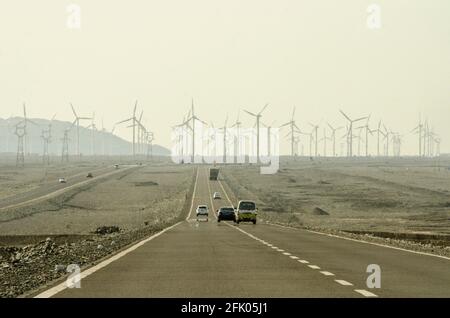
[{"x": 23, "y": 269}]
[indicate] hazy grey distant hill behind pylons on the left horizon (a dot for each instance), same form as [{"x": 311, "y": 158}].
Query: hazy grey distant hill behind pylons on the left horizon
[{"x": 104, "y": 142}]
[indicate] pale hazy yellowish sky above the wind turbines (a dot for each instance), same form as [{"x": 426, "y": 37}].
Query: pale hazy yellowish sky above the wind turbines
[{"x": 229, "y": 54}]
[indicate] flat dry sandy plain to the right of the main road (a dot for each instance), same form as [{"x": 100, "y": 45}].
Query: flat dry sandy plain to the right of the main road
[{"x": 394, "y": 196}]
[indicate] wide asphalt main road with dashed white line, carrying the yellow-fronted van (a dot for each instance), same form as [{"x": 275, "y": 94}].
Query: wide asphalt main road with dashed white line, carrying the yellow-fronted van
[{"x": 210, "y": 259}]
